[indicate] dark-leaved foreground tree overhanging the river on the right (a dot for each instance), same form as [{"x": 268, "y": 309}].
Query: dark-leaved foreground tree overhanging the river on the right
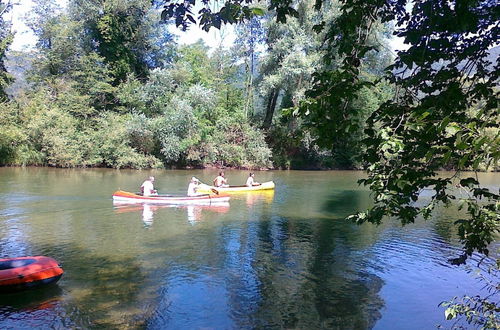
[{"x": 446, "y": 99}]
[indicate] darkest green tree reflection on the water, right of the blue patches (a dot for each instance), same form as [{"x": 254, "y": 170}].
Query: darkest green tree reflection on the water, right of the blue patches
[{"x": 339, "y": 274}]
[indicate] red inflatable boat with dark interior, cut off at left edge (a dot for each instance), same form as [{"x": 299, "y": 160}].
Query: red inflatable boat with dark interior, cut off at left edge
[{"x": 27, "y": 272}]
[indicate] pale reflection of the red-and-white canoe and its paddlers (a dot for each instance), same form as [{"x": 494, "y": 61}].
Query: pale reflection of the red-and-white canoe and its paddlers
[{"x": 194, "y": 212}]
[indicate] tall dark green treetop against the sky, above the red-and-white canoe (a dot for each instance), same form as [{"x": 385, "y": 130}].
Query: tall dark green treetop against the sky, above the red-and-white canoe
[{"x": 128, "y": 35}]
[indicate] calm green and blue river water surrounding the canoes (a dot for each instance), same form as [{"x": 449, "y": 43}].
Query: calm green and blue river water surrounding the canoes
[{"x": 286, "y": 259}]
